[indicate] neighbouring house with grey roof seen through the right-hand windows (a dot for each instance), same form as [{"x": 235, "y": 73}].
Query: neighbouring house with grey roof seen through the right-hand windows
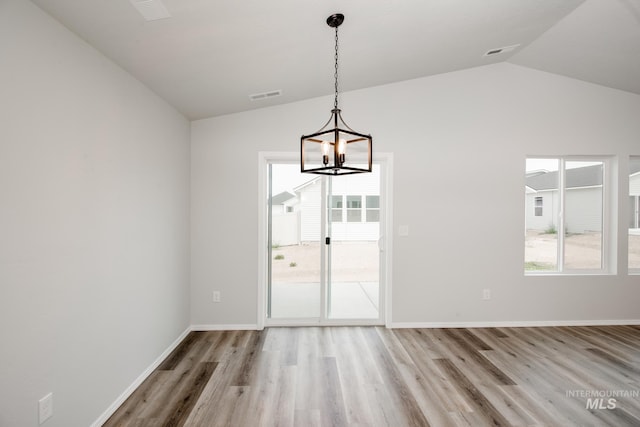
[{"x": 583, "y": 199}]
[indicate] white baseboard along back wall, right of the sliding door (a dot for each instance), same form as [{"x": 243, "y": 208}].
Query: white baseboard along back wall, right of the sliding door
[{"x": 513, "y": 324}]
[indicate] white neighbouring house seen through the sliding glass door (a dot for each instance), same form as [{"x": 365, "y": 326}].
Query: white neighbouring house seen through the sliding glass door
[{"x": 354, "y": 211}]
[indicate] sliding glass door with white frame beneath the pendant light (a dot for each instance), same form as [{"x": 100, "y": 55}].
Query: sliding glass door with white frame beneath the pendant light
[{"x": 324, "y": 256}]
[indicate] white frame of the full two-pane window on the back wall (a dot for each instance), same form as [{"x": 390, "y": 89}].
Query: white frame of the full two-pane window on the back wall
[{"x": 609, "y": 212}]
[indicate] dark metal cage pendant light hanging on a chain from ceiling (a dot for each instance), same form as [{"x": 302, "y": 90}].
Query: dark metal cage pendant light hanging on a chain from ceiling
[{"x": 336, "y": 149}]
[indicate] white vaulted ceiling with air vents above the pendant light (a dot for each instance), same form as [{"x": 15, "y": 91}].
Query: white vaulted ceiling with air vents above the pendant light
[{"x": 210, "y": 55}]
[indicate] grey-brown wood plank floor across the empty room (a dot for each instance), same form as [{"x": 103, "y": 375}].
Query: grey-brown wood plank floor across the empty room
[{"x": 371, "y": 376}]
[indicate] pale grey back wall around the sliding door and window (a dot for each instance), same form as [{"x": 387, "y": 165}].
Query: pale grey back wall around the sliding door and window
[{"x": 449, "y": 133}]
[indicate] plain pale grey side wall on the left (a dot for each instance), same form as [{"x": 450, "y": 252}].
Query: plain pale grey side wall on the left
[{"x": 94, "y": 217}]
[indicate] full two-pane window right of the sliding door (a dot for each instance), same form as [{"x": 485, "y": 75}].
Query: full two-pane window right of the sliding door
[{"x": 571, "y": 235}]
